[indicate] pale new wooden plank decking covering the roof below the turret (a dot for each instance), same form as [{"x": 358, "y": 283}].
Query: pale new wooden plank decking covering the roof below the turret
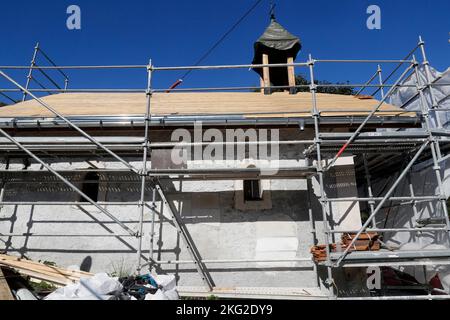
[{"x": 247, "y": 104}]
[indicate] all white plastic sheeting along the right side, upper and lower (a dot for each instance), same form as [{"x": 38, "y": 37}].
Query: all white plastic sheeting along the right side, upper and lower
[{"x": 423, "y": 180}]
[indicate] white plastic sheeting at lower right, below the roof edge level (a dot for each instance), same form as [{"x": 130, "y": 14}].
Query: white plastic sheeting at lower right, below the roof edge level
[{"x": 423, "y": 180}]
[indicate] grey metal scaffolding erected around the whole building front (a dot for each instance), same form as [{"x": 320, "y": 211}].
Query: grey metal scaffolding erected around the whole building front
[{"x": 321, "y": 153}]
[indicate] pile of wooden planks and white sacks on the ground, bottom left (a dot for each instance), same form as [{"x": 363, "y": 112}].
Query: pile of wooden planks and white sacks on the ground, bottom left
[{"x": 79, "y": 285}]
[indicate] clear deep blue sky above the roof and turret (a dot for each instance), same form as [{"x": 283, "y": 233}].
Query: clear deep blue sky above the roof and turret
[{"x": 178, "y": 32}]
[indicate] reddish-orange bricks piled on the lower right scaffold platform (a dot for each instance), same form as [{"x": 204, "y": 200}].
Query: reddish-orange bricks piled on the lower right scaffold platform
[{"x": 367, "y": 241}]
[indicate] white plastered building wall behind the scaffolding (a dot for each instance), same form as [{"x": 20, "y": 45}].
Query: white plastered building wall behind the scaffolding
[{"x": 219, "y": 230}]
